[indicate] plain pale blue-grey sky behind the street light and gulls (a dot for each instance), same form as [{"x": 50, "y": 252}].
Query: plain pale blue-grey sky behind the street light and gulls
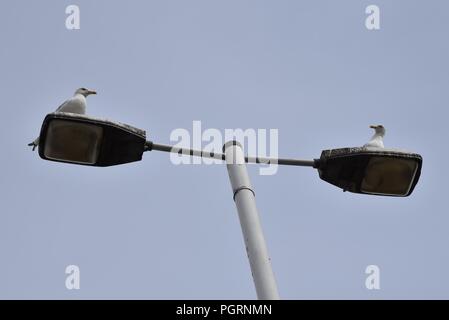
[{"x": 153, "y": 230}]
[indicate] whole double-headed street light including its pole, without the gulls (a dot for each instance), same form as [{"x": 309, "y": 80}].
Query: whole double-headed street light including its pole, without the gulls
[{"x": 83, "y": 140}]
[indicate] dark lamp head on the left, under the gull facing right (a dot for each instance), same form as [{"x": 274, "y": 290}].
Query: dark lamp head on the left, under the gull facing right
[{"x": 84, "y": 140}]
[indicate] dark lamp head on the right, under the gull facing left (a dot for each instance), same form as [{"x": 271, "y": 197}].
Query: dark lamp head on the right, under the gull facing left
[{"x": 367, "y": 170}]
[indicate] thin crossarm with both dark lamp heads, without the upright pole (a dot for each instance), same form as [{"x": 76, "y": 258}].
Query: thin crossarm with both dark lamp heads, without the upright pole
[{"x": 80, "y": 139}]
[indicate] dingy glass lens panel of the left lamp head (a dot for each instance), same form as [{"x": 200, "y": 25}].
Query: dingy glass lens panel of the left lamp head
[{"x": 73, "y": 141}]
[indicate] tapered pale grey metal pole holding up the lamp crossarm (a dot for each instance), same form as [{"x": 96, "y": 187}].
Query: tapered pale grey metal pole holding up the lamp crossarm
[{"x": 245, "y": 202}]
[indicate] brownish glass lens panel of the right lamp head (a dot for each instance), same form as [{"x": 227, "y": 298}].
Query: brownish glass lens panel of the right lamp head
[{"x": 389, "y": 176}]
